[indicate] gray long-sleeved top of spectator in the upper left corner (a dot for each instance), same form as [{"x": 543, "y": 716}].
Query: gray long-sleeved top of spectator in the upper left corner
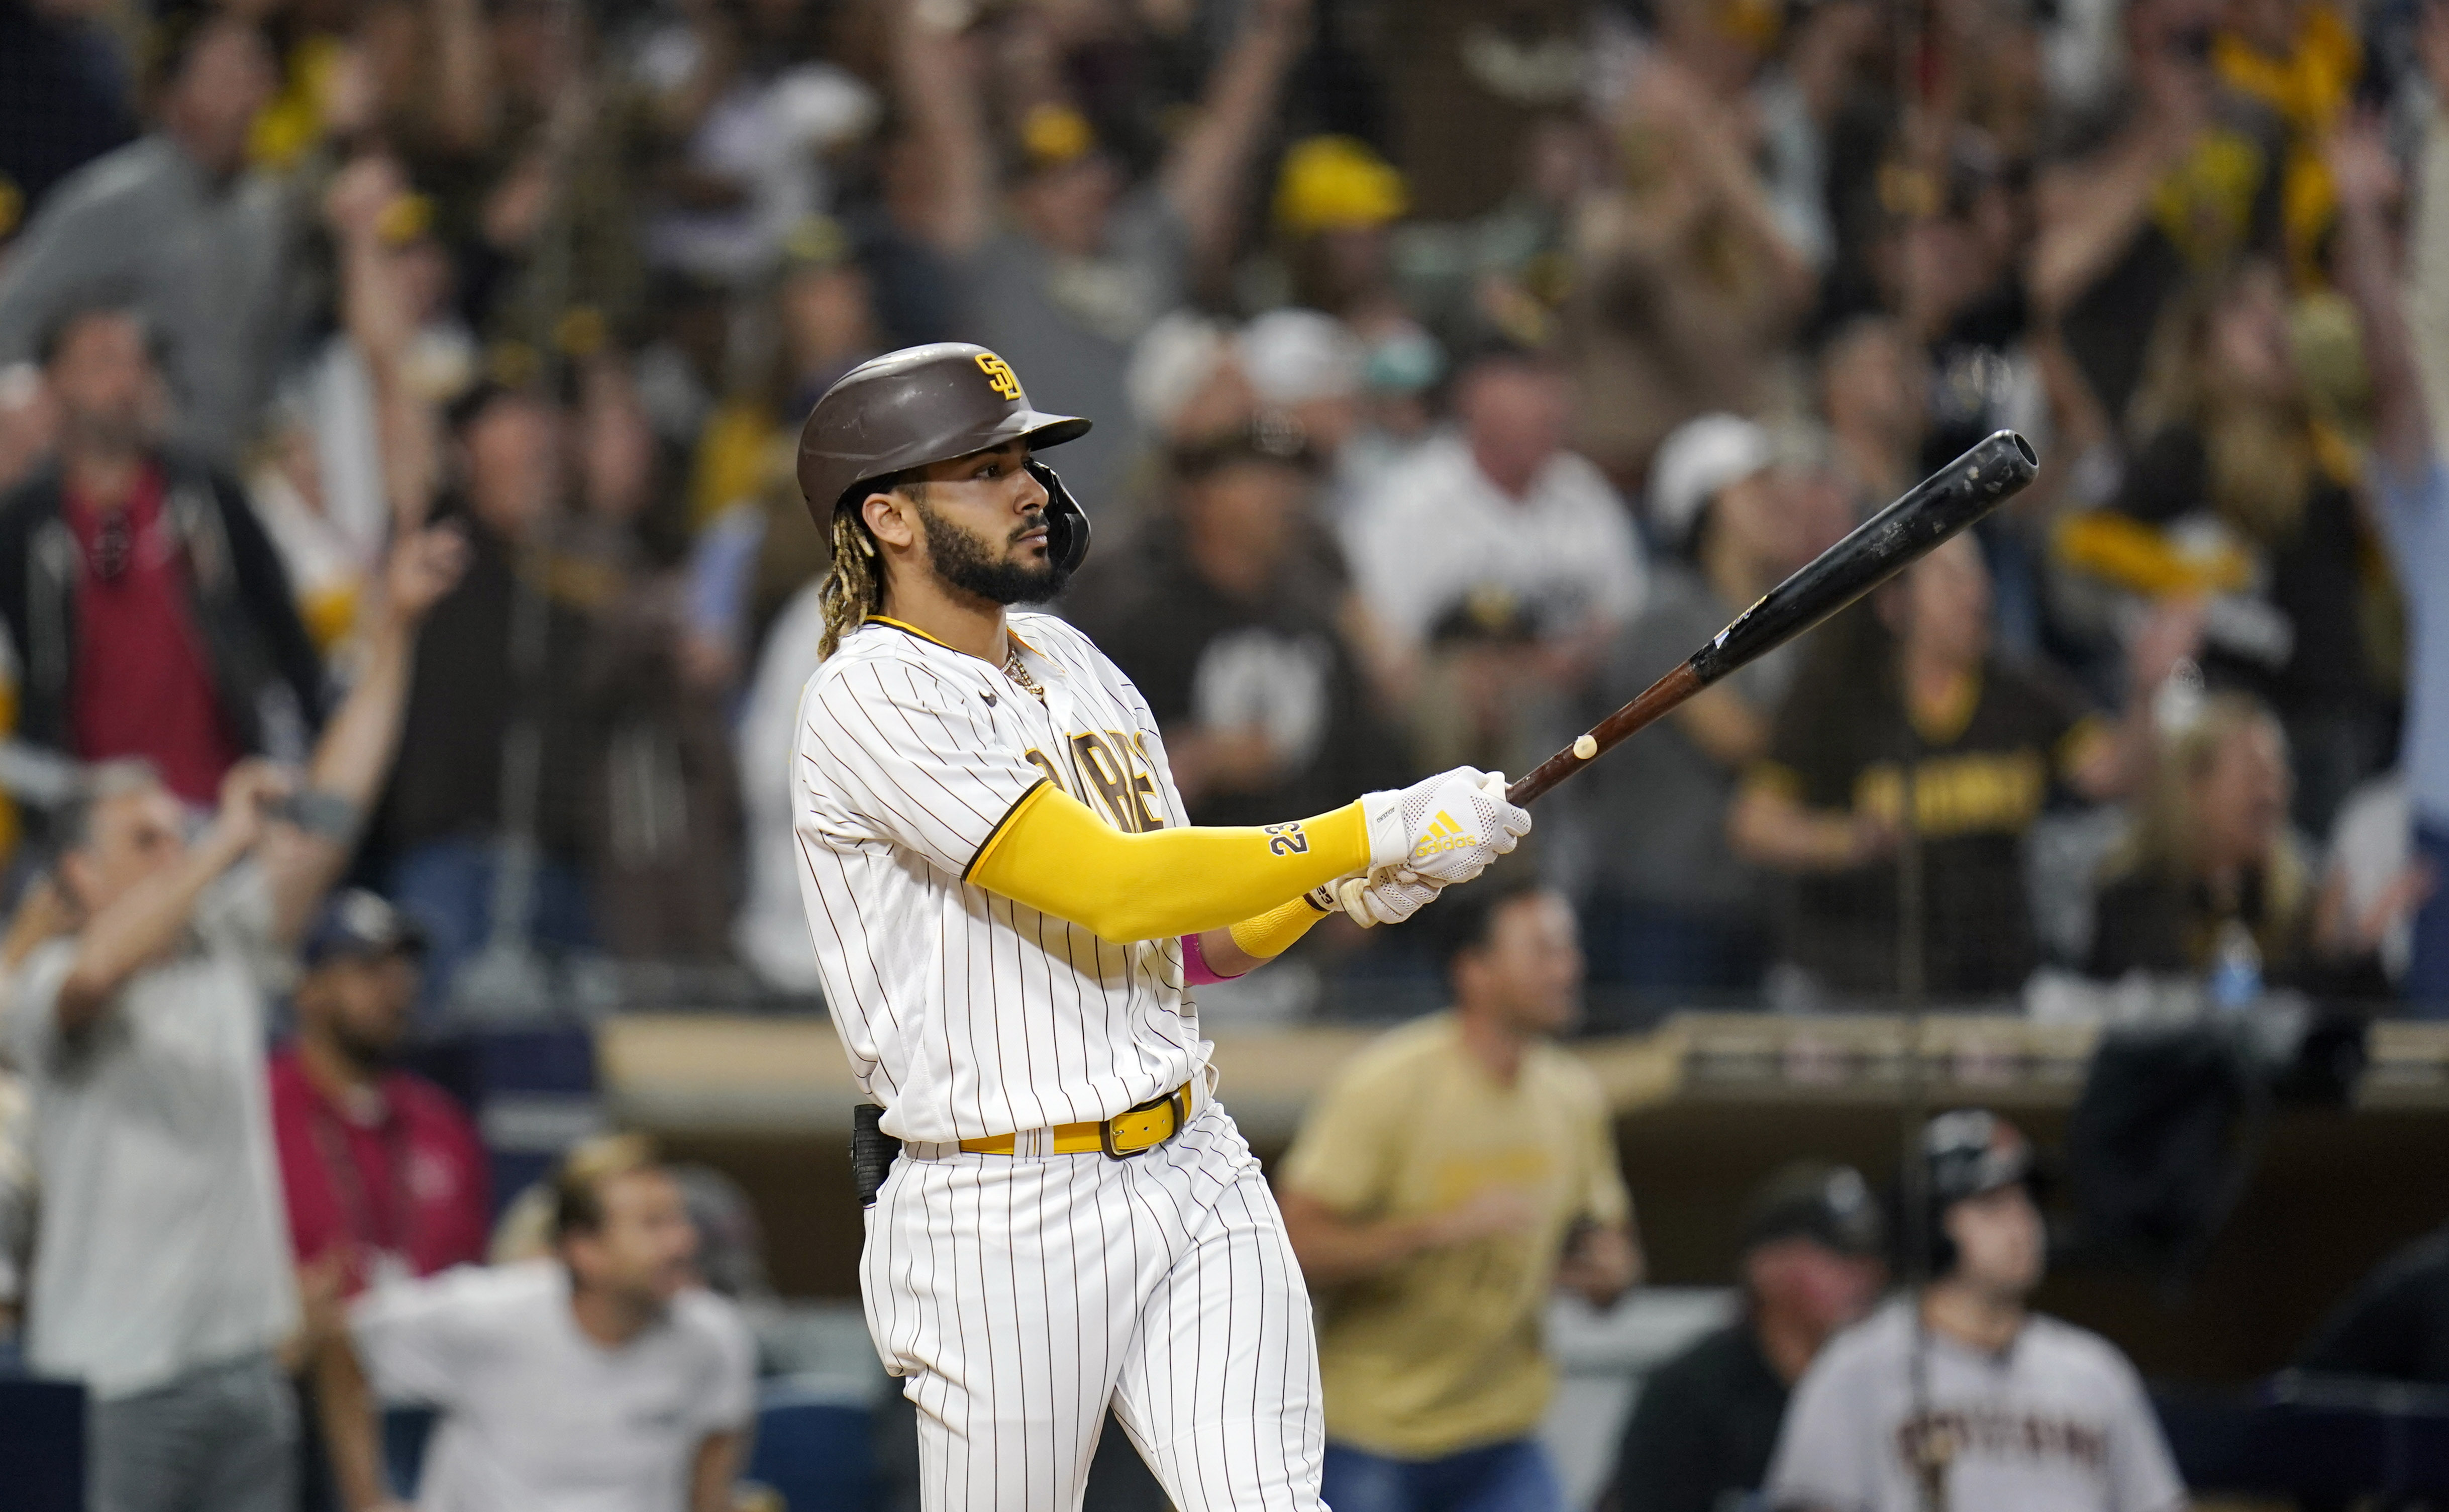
[{"x": 204, "y": 263}]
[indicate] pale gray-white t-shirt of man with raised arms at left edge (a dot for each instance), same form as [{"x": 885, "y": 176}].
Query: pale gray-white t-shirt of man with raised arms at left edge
[{"x": 163, "y": 1241}]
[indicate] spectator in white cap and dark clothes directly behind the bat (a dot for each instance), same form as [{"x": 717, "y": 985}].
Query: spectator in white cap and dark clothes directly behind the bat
[{"x": 1735, "y": 516}]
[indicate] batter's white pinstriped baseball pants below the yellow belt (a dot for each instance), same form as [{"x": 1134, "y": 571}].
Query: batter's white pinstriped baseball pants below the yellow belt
[{"x": 1022, "y": 1295}]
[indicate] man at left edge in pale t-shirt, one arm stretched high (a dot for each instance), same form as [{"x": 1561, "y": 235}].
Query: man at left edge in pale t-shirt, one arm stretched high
[{"x": 163, "y": 1271}]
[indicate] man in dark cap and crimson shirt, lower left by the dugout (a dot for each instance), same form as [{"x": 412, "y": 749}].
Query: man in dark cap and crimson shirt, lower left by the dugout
[{"x": 383, "y": 1173}]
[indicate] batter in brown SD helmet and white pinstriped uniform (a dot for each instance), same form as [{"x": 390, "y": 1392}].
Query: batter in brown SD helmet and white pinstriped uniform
[{"x": 1010, "y": 913}]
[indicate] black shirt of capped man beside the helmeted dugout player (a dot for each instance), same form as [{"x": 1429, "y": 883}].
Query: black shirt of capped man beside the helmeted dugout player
[{"x": 1706, "y": 1427}]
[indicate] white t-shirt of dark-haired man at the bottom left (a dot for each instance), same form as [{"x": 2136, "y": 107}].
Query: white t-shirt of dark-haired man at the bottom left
[{"x": 540, "y": 1418}]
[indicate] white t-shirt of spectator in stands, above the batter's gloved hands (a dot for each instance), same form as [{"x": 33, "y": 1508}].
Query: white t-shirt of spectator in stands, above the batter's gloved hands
[{"x": 1436, "y": 533}]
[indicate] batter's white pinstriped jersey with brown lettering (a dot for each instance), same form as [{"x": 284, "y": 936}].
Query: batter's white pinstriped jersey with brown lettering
[{"x": 969, "y": 1013}]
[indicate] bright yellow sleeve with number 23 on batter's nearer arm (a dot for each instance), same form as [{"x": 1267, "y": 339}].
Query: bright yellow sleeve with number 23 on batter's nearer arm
[{"x": 1057, "y": 856}]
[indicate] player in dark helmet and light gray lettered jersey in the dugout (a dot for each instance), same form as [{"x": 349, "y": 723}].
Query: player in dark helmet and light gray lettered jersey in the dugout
[{"x": 1963, "y": 1388}]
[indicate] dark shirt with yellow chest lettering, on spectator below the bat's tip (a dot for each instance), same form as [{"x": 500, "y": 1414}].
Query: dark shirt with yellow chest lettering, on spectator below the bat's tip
[{"x": 1840, "y": 744}]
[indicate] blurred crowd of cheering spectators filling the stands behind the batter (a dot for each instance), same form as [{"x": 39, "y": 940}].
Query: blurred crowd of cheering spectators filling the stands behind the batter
[{"x": 1456, "y": 369}]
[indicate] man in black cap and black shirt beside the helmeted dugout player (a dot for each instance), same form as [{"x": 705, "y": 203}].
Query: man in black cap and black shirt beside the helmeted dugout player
[{"x": 1708, "y": 1420}]
